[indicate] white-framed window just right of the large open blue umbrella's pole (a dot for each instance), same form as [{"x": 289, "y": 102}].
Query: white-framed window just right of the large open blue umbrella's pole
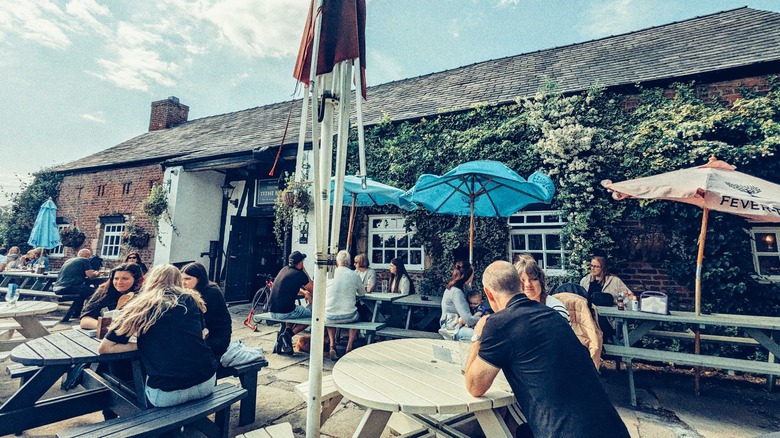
[{"x": 550, "y": 223}]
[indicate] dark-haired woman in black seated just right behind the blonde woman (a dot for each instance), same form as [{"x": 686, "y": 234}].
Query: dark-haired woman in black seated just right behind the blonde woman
[{"x": 217, "y": 317}]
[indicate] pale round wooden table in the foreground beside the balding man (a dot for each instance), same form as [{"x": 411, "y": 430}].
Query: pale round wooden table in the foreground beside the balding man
[{"x": 404, "y": 376}]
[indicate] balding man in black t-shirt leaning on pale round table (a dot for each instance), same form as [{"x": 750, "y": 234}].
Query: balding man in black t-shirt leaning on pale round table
[{"x": 549, "y": 370}]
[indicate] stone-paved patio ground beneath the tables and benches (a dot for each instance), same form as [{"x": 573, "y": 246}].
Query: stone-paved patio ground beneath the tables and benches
[{"x": 728, "y": 406}]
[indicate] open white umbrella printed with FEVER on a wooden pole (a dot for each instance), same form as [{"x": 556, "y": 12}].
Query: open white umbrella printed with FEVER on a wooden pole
[{"x": 713, "y": 186}]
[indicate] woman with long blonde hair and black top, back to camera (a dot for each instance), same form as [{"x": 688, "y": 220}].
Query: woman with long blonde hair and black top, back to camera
[{"x": 167, "y": 320}]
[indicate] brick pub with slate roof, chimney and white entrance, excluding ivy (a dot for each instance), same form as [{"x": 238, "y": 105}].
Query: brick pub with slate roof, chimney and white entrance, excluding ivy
[{"x": 216, "y": 168}]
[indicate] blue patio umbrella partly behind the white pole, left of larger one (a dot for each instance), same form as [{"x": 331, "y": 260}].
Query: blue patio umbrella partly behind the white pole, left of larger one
[{"x": 374, "y": 194}]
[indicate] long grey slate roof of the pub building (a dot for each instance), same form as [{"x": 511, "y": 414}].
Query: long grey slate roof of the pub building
[{"x": 736, "y": 38}]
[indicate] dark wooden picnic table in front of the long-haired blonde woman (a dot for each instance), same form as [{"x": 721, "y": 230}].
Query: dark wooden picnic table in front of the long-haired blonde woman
[{"x": 56, "y": 354}]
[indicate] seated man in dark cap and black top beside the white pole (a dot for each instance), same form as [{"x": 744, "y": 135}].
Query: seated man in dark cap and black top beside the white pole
[{"x": 284, "y": 292}]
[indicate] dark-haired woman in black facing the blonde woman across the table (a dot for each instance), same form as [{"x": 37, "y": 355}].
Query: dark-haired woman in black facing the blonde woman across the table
[{"x": 124, "y": 278}]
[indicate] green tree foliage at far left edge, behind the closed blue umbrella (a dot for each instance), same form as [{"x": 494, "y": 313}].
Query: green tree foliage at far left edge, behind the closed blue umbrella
[{"x": 16, "y": 222}]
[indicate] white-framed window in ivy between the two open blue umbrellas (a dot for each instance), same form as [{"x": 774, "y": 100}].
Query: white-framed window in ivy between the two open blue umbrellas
[{"x": 388, "y": 239}]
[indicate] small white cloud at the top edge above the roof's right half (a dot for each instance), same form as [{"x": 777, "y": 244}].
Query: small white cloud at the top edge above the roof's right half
[{"x": 612, "y": 17}]
